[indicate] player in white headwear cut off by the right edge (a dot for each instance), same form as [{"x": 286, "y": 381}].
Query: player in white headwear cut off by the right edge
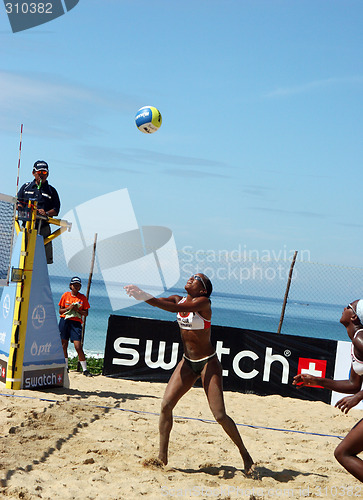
[{"x": 346, "y": 452}]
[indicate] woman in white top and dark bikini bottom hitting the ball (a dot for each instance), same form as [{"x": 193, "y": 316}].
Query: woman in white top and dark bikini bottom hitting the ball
[{"x": 199, "y": 360}]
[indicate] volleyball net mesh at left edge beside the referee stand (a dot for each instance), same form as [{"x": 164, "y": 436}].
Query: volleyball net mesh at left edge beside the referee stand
[{"x": 7, "y": 219}]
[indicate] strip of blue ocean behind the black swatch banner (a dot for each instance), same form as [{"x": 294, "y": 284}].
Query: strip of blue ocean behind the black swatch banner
[{"x": 309, "y": 319}]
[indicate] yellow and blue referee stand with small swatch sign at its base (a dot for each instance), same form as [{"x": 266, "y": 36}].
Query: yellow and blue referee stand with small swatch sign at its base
[{"x": 31, "y": 354}]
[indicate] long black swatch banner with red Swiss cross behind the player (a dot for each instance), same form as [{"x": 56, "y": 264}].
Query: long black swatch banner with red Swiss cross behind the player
[{"x": 257, "y": 362}]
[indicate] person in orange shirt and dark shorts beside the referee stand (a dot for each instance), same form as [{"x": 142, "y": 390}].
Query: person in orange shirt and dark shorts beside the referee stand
[{"x": 73, "y": 306}]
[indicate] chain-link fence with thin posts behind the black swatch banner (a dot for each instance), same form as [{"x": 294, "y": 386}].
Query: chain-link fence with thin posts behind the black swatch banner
[{"x": 249, "y": 285}]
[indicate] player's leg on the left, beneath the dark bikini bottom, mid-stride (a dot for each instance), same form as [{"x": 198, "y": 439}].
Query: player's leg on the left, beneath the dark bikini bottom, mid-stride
[{"x": 179, "y": 384}]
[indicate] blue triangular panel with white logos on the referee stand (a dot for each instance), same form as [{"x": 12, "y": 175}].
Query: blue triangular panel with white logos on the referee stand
[{"x": 43, "y": 344}]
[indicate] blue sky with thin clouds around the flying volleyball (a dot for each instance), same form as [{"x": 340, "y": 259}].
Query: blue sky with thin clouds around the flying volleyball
[{"x": 261, "y": 141}]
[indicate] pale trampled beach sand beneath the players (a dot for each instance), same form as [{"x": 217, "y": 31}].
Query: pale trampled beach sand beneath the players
[{"x": 99, "y": 440}]
